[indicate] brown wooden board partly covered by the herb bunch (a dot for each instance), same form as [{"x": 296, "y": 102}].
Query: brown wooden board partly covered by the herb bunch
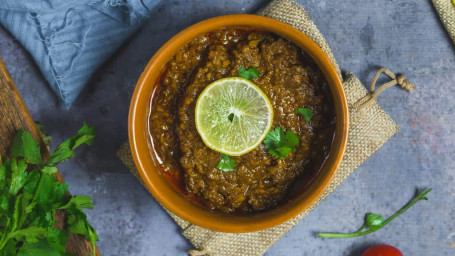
[{"x": 13, "y": 116}]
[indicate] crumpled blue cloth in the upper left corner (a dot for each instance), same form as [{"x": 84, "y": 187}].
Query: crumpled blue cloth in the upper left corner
[{"x": 70, "y": 39}]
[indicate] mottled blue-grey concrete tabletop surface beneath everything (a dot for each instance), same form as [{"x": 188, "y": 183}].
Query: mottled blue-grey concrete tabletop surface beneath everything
[{"x": 405, "y": 36}]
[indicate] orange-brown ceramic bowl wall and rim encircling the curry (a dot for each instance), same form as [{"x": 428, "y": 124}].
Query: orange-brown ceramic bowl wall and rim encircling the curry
[{"x": 175, "y": 201}]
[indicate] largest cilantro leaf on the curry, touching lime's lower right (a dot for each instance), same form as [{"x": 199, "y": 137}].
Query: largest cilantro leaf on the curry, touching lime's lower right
[{"x": 279, "y": 143}]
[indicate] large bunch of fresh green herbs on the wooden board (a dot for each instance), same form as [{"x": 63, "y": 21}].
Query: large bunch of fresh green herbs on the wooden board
[{"x": 30, "y": 196}]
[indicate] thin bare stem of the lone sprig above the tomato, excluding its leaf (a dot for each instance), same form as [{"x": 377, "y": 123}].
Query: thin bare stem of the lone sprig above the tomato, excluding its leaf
[{"x": 421, "y": 196}]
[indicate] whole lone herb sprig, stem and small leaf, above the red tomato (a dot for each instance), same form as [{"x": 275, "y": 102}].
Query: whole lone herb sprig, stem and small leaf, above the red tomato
[{"x": 373, "y": 221}]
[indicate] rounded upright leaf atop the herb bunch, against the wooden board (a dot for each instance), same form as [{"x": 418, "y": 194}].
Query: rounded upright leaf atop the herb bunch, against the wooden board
[{"x": 24, "y": 145}]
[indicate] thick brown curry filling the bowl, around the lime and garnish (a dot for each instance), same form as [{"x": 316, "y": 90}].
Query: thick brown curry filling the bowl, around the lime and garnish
[{"x": 287, "y": 76}]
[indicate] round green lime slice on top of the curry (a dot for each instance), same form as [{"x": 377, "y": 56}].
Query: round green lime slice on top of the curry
[{"x": 233, "y": 116}]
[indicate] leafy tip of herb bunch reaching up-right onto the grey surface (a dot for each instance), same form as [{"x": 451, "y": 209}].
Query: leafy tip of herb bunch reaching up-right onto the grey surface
[{"x": 66, "y": 149}]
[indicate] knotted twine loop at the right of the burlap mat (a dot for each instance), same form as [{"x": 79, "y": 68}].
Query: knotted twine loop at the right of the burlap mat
[{"x": 373, "y": 95}]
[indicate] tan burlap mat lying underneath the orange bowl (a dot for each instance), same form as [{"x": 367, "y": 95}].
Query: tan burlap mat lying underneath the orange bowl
[{"x": 370, "y": 128}]
